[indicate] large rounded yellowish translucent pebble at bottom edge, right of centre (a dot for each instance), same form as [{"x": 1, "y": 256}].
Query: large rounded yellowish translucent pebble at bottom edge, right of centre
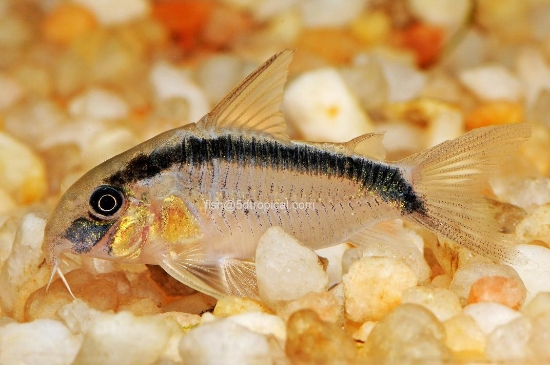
[{"x": 408, "y": 335}]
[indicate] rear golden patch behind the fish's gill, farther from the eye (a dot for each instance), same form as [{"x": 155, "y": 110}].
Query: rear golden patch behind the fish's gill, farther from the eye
[{"x": 176, "y": 223}]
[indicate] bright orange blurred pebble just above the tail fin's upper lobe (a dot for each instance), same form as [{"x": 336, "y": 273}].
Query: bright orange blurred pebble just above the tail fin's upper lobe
[{"x": 495, "y": 113}]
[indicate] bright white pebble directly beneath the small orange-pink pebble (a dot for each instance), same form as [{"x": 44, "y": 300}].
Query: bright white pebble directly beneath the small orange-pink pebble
[{"x": 490, "y": 315}]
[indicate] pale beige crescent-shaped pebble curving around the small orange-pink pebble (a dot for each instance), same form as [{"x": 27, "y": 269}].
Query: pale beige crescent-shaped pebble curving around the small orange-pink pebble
[{"x": 470, "y": 272}]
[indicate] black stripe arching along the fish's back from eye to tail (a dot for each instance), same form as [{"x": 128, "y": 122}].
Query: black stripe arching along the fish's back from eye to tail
[{"x": 384, "y": 180}]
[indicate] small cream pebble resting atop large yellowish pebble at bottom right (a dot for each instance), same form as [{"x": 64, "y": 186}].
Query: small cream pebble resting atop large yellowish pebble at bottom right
[{"x": 443, "y": 303}]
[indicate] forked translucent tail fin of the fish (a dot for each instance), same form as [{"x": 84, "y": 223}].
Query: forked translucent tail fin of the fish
[{"x": 450, "y": 179}]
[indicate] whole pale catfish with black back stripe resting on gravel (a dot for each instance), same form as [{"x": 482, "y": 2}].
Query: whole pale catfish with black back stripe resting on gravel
[{"x": 196, "y": 199}]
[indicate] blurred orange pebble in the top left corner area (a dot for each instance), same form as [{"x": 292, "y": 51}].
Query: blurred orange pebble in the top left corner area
[{"x": 67, "y": 22}]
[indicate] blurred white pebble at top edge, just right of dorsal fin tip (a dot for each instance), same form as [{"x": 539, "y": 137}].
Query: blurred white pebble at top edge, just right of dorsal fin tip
[{"x": 330, "y": 13}]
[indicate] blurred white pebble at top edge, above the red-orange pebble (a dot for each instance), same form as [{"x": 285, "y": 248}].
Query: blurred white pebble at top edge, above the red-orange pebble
[{"x": 448, "y": 13}]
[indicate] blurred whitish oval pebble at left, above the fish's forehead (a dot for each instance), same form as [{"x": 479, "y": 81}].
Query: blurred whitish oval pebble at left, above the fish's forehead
[{"x": 100, "y": 104}]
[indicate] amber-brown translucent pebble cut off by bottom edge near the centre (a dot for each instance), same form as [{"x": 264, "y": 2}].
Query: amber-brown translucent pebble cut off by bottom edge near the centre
[{"x": 312, "y": 341}]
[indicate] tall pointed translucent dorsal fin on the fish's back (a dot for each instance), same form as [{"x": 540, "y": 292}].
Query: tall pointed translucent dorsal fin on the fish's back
[{"x": 254, "y": 106}]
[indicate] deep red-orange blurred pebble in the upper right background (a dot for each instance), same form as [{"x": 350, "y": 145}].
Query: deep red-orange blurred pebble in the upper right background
[{"x": 426, "y": 41}]
